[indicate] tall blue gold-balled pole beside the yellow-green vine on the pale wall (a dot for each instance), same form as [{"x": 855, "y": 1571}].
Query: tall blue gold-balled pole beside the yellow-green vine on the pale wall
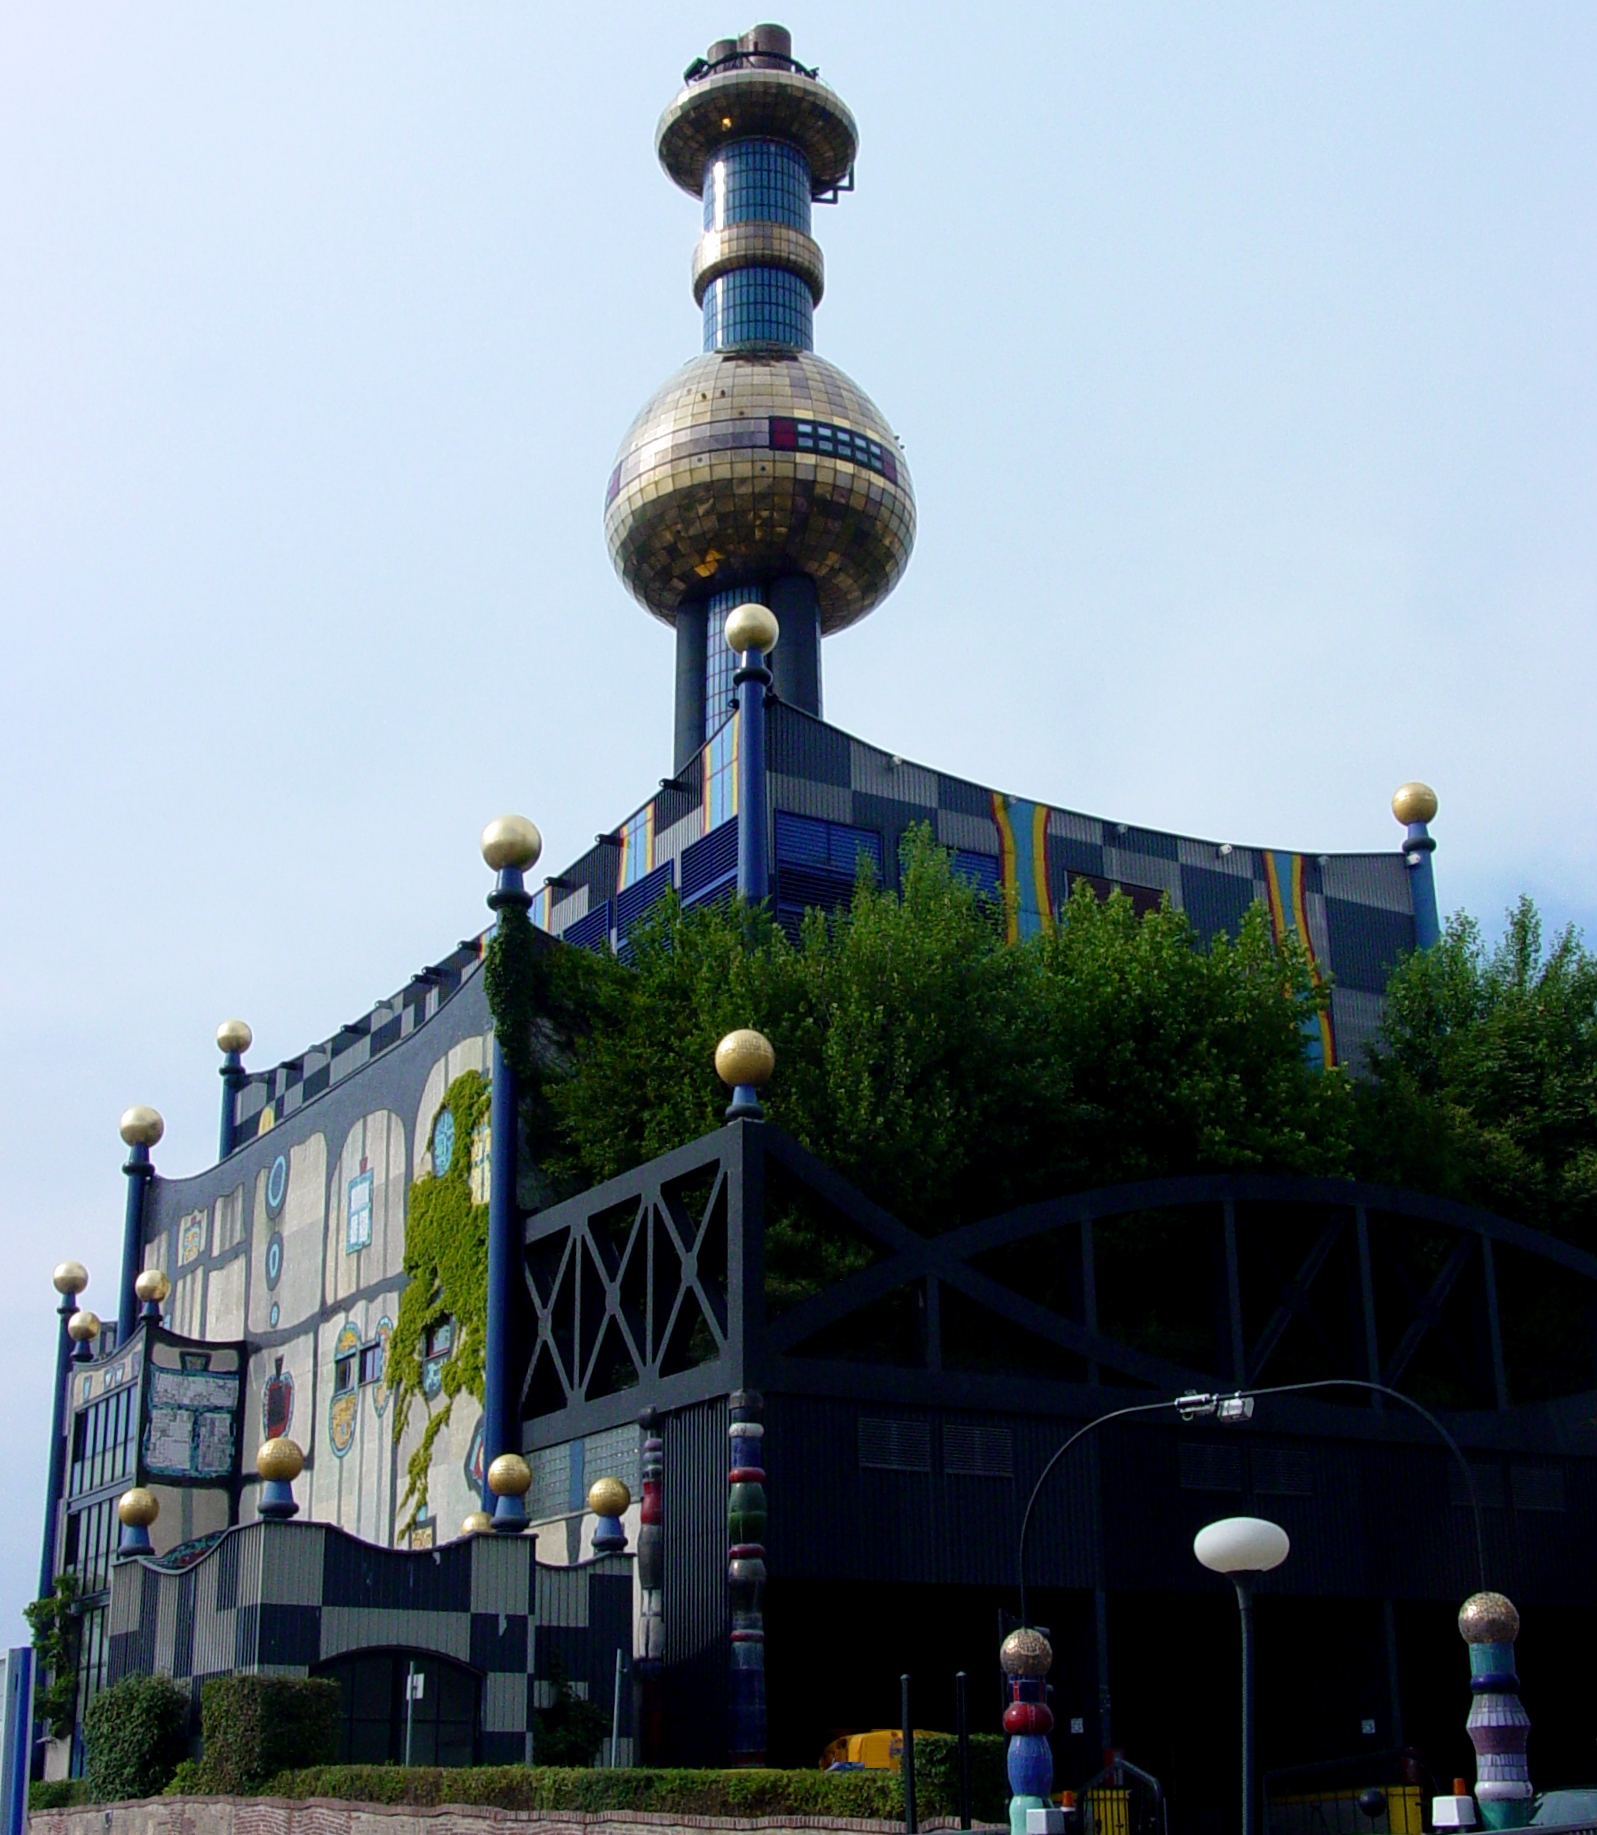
[{"x": 511, "y": 845}]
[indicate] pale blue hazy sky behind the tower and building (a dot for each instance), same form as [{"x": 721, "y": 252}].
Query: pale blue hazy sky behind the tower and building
[{"x": 1244, "y": 357}]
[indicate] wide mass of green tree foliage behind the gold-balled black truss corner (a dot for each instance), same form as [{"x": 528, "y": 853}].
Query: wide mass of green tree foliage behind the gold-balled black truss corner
[{"x": 944, "y": 1071}]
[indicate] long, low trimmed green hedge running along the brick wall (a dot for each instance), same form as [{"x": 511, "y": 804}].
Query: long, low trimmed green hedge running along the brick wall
[{"x": 869, "y": 1796}]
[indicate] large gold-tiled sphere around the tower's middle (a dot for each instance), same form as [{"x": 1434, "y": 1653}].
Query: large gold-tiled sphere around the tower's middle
[{"x": 702, "y": 500}]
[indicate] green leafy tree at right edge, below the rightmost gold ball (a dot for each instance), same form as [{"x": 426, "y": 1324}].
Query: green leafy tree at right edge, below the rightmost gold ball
[{"x": 1484, "y": 1084}]
